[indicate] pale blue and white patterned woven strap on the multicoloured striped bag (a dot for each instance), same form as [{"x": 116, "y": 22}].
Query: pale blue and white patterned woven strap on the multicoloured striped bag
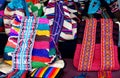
[{"x": 22, "y": 55}]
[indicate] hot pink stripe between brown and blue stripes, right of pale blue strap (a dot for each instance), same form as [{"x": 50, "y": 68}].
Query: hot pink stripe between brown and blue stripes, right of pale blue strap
[{"x": 41, "y": 45}]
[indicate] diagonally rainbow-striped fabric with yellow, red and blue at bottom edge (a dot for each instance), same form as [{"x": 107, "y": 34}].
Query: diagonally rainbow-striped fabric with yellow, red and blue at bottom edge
[{"x": 46, "y": 72}]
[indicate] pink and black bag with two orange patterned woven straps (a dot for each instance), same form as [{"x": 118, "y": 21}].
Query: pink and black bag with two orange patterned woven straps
[{"x": 97, "y": 47}]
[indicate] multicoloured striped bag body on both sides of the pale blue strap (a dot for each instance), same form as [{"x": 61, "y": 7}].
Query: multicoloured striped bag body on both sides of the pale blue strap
[{"x": 40, "y": 52}]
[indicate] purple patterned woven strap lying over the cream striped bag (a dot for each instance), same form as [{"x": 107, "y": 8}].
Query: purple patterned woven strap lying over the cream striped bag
[{"x": 58, "y": 21}]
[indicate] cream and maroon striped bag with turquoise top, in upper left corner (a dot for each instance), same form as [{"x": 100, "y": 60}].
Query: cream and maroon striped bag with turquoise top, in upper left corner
[{"x": 12, "y": 9}]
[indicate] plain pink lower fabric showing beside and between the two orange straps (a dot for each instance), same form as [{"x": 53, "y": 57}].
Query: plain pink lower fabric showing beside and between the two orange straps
[{"x": 97, "y": 58}]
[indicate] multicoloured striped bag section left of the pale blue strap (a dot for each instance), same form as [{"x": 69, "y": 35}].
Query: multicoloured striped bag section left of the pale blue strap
[{"x": 12, "y": 40}]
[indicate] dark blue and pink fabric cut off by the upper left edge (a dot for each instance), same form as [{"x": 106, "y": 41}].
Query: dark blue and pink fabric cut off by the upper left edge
[{"x": 2, "y": 6}]
